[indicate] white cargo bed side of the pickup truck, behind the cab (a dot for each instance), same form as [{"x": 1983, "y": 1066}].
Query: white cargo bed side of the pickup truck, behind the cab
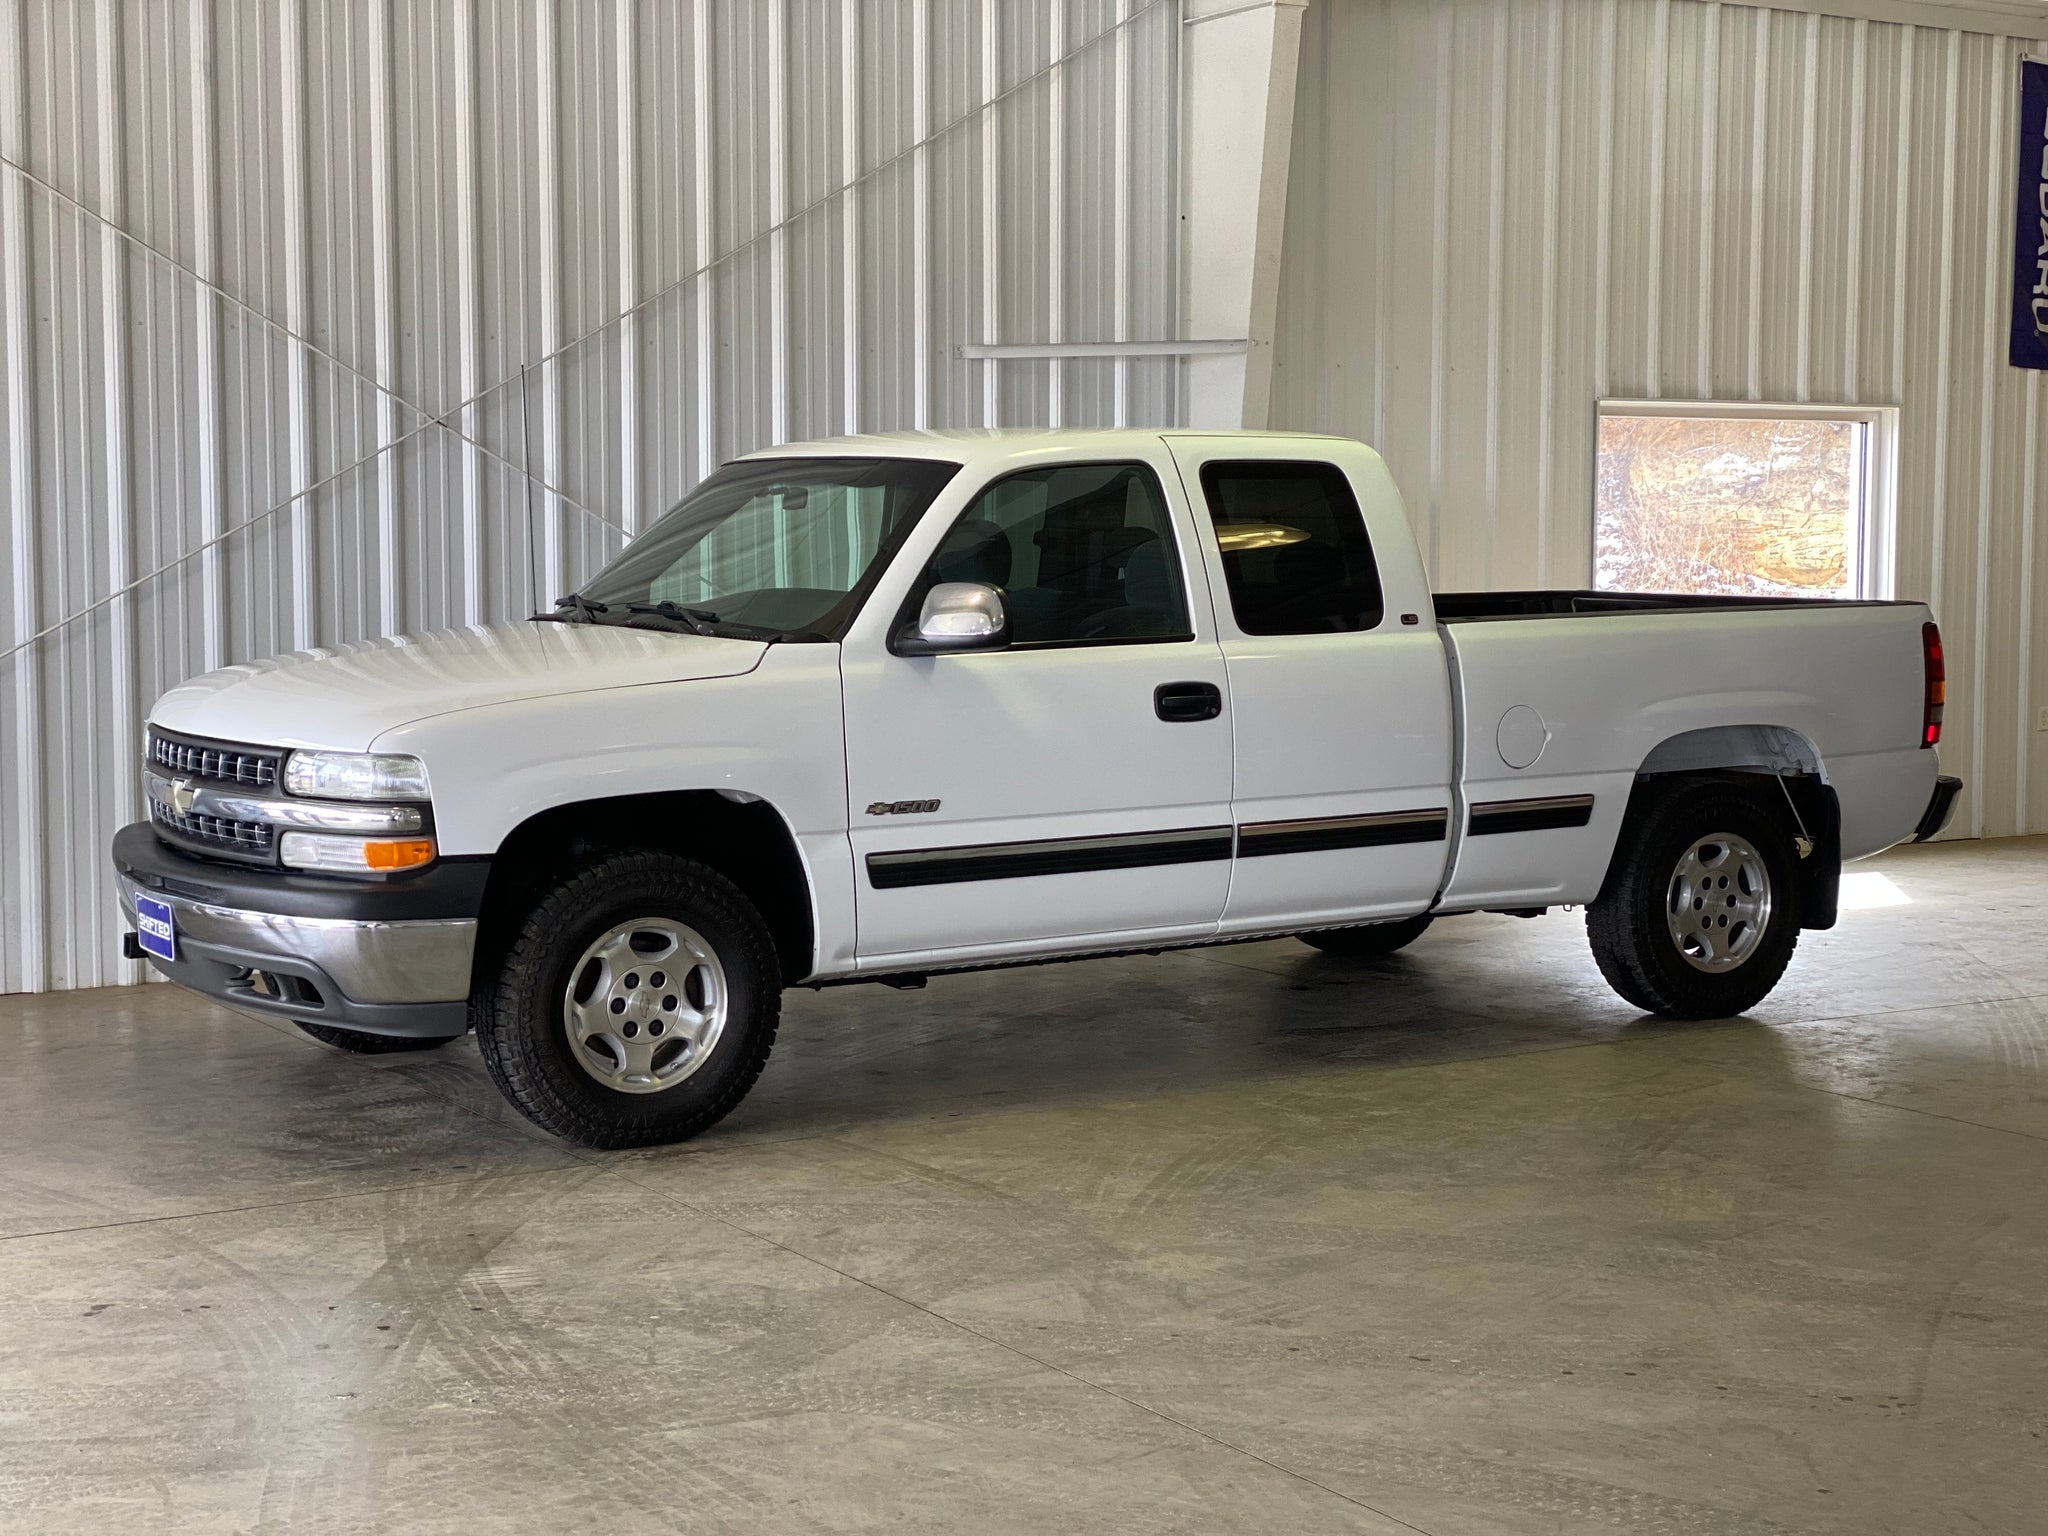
[{"x": 1564, "y": 697}]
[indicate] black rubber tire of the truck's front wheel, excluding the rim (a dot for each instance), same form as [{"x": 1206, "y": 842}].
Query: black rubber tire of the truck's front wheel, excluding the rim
[{"x": 519, "y": 1013}]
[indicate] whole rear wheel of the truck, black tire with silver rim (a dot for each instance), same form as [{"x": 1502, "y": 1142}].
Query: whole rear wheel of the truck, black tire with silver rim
[{"x": 1701, "y": 910}]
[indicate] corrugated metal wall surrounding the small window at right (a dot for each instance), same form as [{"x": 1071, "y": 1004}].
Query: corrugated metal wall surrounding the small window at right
[{"x": 1506, "y": 210}]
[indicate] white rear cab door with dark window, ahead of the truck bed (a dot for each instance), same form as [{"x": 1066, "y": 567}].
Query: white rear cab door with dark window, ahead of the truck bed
[{"x": 1340, "y": 691}]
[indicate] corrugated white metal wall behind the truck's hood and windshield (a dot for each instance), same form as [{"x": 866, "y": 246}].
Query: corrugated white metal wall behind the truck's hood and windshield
[{"x": 265, "y": 239}]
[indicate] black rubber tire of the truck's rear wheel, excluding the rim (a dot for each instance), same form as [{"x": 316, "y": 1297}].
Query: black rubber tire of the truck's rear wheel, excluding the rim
[{"x": 1627, "y": 925}]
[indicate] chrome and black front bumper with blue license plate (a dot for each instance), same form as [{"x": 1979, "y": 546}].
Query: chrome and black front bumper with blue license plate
[{"x": 378, "y": 957}]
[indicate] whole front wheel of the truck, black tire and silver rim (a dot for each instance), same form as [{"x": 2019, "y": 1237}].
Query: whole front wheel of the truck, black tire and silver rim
[{"x": 636, "y": 1007}]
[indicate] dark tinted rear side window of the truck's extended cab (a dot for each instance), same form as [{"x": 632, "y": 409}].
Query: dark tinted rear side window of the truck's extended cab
[{"x": 1295, "y": 550}]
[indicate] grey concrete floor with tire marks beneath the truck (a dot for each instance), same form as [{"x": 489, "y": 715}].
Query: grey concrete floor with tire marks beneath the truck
[{"x": 1236, "y": 1240}]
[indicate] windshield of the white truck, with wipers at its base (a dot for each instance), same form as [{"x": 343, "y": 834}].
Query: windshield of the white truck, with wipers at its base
[{"x": 783, "y": 548}]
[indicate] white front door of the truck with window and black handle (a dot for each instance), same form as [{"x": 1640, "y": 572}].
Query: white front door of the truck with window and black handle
[{"x": 1070, "y": 785}]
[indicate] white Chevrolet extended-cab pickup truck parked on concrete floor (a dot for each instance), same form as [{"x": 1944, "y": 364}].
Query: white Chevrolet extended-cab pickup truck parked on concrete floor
[{"x": 882, "y": 708}]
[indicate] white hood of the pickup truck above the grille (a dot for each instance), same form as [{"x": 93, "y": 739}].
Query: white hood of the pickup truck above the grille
[{"x": 351, "y": 695}]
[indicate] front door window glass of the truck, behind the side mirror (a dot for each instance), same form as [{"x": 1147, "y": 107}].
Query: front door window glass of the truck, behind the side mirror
[{"x": 1080, "y": 554}]
